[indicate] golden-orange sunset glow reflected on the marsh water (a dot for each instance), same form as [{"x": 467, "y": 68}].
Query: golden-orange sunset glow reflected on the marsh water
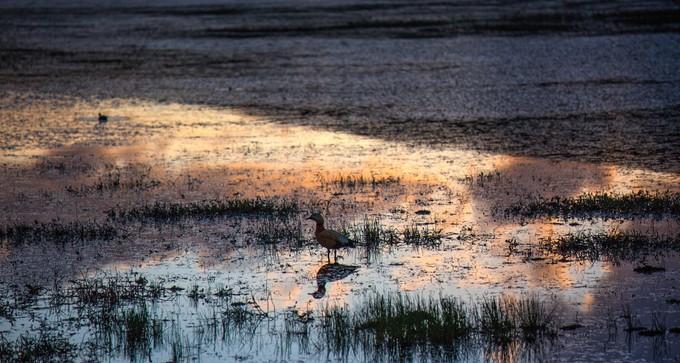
[{"x": 198, "y": 152}]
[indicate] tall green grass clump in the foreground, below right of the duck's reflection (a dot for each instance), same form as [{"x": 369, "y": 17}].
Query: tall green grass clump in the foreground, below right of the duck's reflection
[{"x": 402, "y": 325}]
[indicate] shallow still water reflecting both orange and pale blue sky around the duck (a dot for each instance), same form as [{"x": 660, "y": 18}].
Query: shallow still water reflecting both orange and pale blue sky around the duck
[{"x": 198, "y": 152}]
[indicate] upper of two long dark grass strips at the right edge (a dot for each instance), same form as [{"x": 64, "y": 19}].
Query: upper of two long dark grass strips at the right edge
[{"x": 641, "y": 203}]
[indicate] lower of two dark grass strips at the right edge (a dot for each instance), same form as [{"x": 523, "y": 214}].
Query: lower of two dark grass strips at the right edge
[{"x": 613, "y": 246}]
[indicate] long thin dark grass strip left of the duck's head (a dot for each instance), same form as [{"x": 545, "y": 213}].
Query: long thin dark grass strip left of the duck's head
[{"x": 160, "y": 212}]
